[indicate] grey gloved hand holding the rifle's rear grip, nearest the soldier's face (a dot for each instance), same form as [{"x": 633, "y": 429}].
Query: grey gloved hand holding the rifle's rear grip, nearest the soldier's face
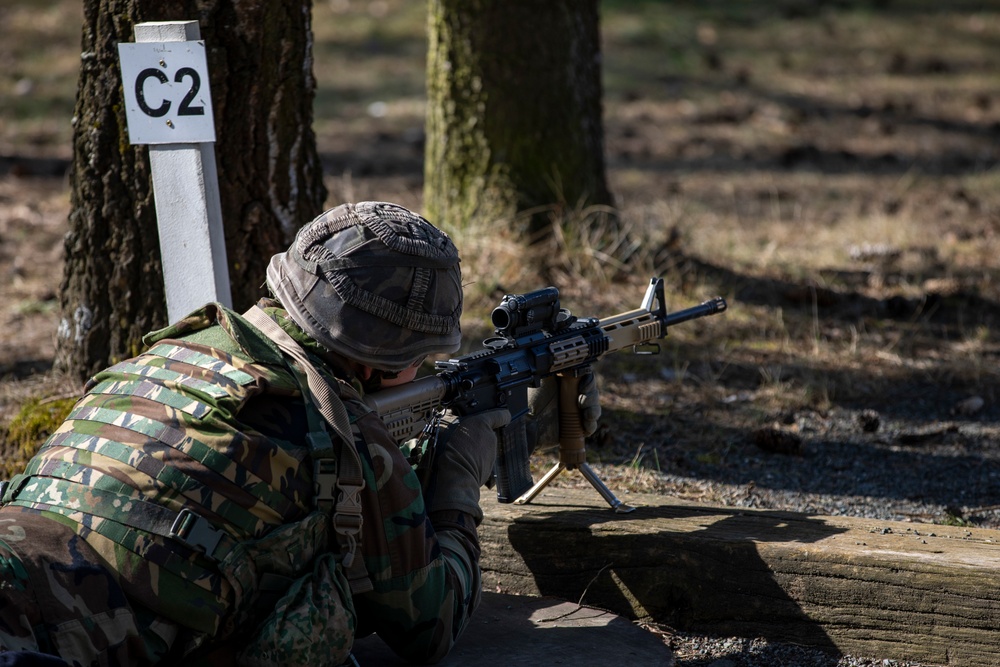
[{"x": 461, "y": 461}]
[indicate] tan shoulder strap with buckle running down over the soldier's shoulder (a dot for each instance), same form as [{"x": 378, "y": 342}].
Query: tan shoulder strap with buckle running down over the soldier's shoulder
[{"x": 350, "y": 480}]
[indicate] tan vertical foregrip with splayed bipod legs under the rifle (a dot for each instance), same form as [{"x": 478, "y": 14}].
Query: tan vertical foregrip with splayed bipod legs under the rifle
[{"x": 572, "y": 450}]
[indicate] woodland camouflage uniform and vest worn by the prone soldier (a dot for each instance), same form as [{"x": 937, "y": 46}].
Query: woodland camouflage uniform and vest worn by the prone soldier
[{"x": 173, "y": 510}]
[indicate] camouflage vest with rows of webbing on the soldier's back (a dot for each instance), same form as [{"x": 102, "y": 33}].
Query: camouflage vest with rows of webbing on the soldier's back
[{"x": 176, "y": 496}]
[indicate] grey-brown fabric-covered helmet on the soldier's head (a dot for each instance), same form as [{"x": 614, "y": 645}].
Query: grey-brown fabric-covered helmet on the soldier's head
[{"x": 373, "y": 282}]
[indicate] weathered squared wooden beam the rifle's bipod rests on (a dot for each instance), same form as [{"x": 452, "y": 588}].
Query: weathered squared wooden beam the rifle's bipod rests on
[{"x": 864, "y": 587}]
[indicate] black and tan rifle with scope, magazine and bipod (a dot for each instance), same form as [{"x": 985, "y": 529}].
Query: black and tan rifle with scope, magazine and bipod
[{"x": 535, "y": 339}]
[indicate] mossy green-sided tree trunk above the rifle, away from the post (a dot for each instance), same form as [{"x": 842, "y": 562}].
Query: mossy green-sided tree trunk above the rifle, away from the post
[{"x": 513, "y": 110}]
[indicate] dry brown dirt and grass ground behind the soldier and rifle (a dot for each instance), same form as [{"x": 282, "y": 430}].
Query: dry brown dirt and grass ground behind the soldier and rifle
[{"x": 830, "y": 168}]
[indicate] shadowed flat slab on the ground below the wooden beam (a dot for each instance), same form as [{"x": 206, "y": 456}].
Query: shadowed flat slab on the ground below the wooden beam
[{"x": 515, "y": 630}]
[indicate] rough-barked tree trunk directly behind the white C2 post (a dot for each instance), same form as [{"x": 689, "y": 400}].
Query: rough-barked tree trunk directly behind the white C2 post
[{"x": 270, "y": 178}]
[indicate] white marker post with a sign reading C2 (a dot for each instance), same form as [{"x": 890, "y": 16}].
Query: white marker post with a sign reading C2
[{"x": 168, "y": 105}]
